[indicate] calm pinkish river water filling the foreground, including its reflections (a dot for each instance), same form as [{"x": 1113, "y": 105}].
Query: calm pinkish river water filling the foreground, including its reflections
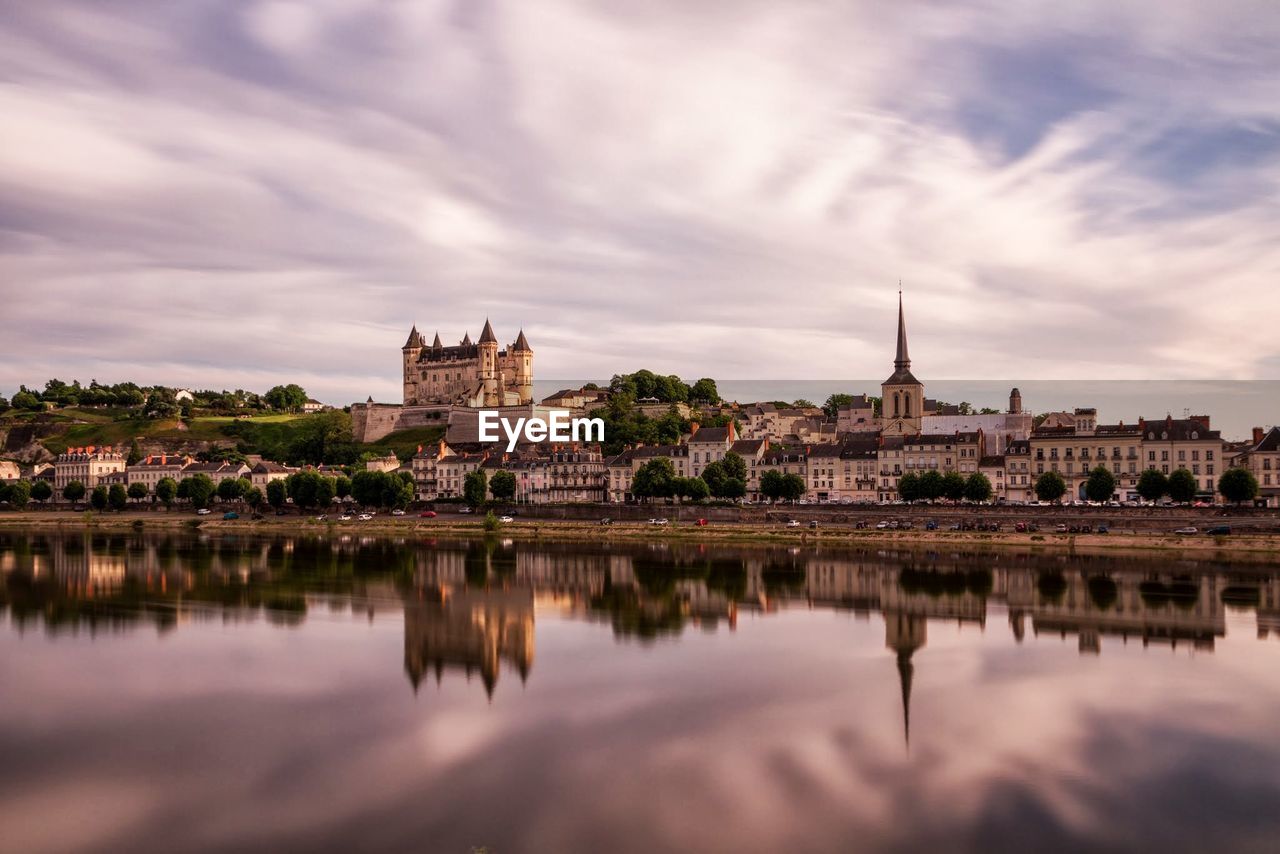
[{"x": 186, "y": 693}]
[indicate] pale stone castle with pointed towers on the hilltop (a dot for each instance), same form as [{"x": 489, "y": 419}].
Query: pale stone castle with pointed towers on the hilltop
[{"x": 469, "y": 375}]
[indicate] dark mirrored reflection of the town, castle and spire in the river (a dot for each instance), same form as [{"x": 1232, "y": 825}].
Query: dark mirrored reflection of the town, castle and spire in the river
[{"x": 470, "y": 608}]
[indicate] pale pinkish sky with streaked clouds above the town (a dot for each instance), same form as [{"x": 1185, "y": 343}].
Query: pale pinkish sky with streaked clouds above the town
[{"x": 220, "y": 194}]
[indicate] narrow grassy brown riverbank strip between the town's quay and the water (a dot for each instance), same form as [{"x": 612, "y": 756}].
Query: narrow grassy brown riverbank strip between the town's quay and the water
[{"x": 1236, "y": 547}]
